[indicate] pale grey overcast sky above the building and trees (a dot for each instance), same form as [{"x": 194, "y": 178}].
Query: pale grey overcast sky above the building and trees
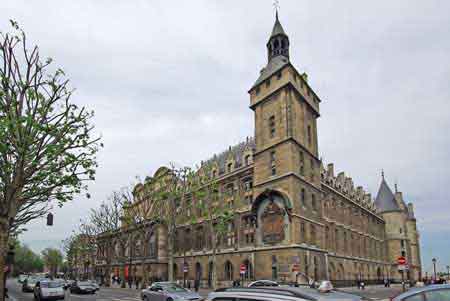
[{"x": 169, "y": 79}]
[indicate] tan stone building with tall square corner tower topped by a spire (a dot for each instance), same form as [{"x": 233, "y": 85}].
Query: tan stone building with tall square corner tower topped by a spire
[{"x": 295, "y": 218}]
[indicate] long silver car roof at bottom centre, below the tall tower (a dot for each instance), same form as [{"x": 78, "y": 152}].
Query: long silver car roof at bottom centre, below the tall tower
[{"x": 281, "y": 293}]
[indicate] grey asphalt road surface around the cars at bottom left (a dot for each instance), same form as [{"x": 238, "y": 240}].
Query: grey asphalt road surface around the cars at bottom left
[{"x": 105, "y": 294}]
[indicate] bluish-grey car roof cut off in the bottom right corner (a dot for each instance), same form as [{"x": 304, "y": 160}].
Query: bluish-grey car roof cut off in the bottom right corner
[{"x": 437, "y": 292}]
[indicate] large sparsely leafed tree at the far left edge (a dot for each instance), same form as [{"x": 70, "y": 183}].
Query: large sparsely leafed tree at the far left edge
[{"x": 46, "y": 149}]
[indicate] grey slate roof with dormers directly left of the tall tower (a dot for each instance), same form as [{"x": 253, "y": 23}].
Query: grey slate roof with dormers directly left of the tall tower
[{"x": 237, "y": 153}]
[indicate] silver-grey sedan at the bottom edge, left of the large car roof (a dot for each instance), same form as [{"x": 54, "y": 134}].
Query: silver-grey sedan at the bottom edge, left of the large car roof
[{"x": 168, "y": 291}]
